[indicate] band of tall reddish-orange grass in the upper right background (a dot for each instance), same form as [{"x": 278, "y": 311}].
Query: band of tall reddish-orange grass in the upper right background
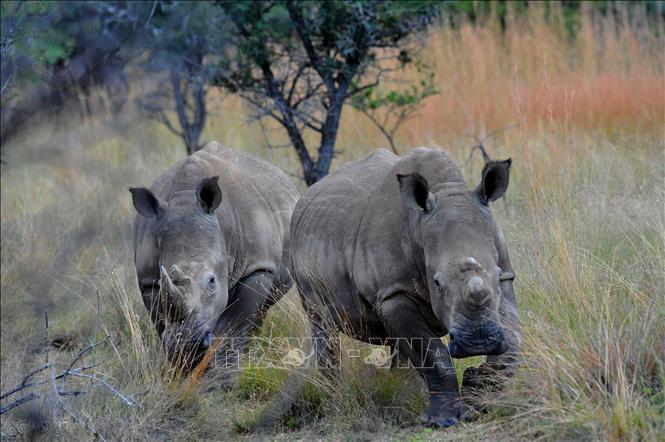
[{"x": 609, "y": 76}]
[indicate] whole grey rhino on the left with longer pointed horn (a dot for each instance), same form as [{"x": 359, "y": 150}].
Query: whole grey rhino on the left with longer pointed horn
[{"x": 209, "y": 240}]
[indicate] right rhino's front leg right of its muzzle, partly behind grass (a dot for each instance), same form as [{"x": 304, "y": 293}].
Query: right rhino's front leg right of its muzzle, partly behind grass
[{"x": 498, "y": 367}]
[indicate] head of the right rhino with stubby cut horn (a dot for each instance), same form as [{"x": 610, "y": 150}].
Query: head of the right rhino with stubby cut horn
[{"x": 455, "y": 230}]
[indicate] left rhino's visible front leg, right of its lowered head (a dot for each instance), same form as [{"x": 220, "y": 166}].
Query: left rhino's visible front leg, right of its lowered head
[{"x": 253, "y": 296}]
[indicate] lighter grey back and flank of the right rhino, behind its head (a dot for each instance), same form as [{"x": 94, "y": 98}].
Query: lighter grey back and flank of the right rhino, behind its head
[{"x": 350, "y": 229}]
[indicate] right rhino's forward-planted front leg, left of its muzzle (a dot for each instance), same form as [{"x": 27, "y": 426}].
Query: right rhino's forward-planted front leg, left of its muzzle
[{"x": 408, "y": 326}]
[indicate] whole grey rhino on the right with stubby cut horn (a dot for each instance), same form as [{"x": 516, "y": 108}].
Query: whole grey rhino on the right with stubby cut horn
[{"x": 389, "y": 247}]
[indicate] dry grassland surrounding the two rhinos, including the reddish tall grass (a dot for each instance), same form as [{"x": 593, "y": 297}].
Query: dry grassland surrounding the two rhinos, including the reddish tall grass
[{"x": 577, "y": 99}]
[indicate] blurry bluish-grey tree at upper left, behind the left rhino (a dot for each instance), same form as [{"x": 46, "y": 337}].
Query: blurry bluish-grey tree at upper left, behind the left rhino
[{"x": 181, "y": 39}]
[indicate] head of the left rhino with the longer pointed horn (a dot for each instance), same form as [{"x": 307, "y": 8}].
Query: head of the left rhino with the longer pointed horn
[{"x": 193, "y": 285}]
